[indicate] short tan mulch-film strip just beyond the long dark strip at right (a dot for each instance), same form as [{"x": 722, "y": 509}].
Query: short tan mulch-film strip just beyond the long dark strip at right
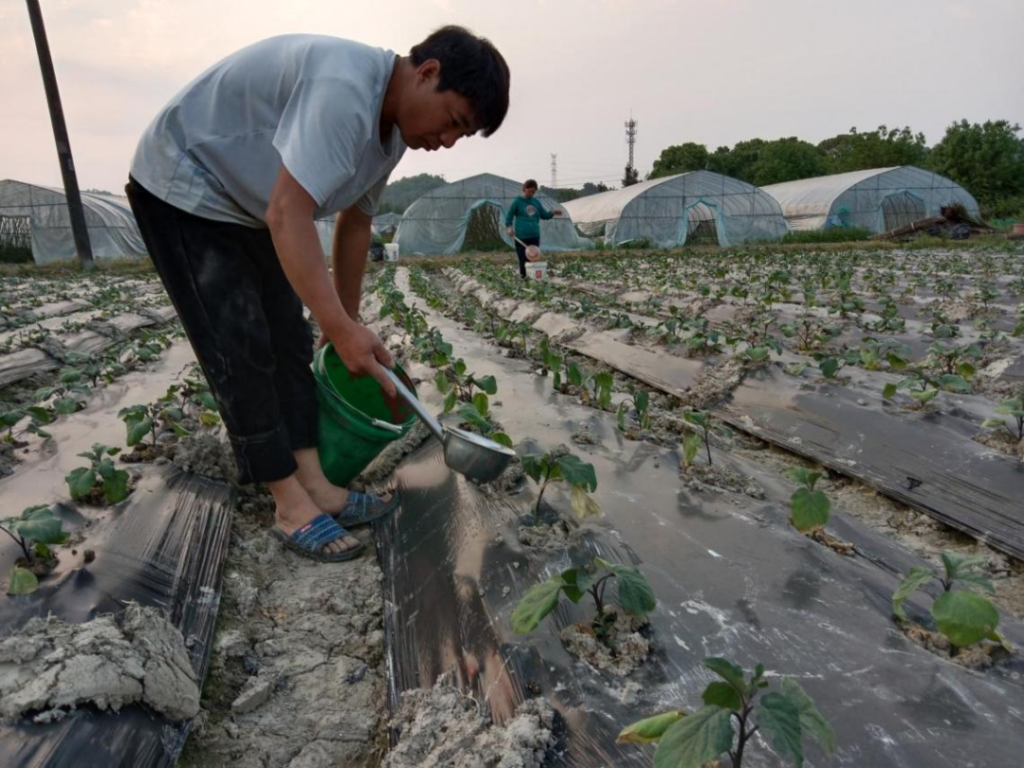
[{"x": 665, "y": 372}]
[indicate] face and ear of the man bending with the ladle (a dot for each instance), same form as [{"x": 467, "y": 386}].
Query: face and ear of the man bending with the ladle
[{"x": 430, "y": 119}]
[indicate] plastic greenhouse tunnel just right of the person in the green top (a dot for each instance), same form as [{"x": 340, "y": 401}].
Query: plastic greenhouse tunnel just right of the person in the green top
[{"x": 695, "y": 207}]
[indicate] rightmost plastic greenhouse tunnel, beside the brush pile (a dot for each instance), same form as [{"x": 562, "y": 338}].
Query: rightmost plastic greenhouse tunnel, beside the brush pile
[{"x": 879, "y": 200}]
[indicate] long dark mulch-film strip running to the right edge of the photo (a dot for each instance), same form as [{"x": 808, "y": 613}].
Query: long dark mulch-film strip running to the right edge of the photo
[{"x": 925, "y": 460}]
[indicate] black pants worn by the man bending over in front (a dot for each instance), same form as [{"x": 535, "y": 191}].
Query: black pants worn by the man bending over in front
[{"x": 245, "y": 323}]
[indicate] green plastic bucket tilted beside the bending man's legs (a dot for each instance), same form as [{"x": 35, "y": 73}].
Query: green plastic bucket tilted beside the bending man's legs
[{"x": 357, "y": 419}]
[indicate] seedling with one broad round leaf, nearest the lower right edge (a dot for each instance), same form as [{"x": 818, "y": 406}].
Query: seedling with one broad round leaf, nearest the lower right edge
[{"x": 963, "y": 616}]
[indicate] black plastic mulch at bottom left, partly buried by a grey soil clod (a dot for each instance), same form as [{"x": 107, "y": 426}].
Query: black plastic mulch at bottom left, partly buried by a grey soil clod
[{"x": 166, "y": 549}]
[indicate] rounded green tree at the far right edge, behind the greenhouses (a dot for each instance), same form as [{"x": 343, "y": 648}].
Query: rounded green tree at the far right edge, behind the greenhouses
[{"x": 988, "y": 159}]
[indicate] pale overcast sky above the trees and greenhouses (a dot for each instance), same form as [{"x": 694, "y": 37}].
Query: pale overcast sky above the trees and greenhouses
[{"x": 709, "y": 71}]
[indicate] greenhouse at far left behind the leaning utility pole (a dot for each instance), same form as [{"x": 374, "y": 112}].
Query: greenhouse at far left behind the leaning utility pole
[{"x": 30, "y": 214}]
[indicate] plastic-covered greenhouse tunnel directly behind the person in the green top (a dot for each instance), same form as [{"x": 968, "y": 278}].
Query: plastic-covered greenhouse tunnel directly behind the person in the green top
[{"x": 439, "y": 222}]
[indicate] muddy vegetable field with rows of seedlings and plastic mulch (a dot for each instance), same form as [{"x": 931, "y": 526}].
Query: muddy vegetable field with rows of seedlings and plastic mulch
[{"x": 738, "y": 455}]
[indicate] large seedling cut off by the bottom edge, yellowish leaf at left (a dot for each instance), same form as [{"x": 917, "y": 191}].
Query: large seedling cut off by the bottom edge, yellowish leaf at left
[{"x": 693, "y": 740}]
